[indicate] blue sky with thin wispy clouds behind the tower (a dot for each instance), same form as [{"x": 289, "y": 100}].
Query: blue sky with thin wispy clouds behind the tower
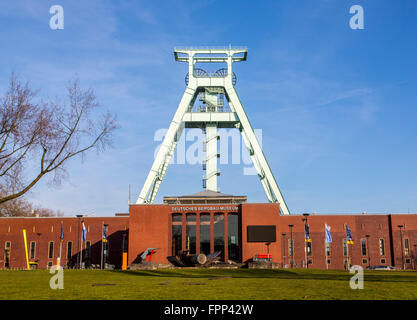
[{"x": 337, "y": 107}]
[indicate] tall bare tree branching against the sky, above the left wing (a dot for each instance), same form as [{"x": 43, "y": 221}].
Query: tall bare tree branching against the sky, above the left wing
[{"x": 37, "y": 138}]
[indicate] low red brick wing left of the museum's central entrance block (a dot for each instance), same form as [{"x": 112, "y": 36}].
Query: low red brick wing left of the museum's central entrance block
[{"x": 44, "y": 240}]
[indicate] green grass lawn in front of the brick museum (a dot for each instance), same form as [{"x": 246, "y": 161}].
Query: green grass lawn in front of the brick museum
[{"x": 208, "y": 284}]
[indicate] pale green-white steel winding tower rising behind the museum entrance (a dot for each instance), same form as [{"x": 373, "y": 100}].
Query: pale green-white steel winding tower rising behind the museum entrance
[{"x": 211, "y": 89}]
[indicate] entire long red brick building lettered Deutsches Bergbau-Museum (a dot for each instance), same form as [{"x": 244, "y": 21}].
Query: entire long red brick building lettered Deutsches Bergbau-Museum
[{"x": 208, "y": 222}]
